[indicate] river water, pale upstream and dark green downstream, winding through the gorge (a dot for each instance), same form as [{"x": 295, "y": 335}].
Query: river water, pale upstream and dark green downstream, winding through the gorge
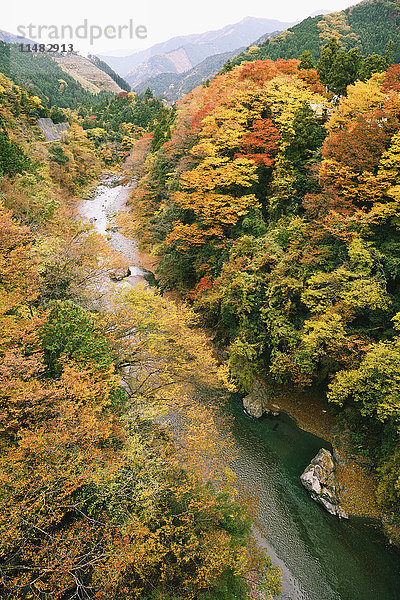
[{"x": 321, "y": 557}]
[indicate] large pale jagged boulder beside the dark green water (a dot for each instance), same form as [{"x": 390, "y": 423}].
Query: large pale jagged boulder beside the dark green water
[{"x": 319, "y": 479}]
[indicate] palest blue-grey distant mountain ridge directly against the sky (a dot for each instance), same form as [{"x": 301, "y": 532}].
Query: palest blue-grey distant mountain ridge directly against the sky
[{"x": 192, "y": 49}]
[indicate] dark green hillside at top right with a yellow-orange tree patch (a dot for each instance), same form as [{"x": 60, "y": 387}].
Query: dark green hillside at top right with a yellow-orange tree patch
[{"x": 369, "y": 25}]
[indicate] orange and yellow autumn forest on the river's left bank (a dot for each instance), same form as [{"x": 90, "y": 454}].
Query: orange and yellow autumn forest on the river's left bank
[{"x": 97, "y": 500}]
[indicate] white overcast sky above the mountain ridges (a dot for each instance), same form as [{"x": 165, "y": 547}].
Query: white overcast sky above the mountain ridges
[{"x": 157, "y": 20}]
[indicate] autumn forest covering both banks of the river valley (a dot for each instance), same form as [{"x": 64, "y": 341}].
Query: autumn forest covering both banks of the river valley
[{"x": 270, "y": 199}]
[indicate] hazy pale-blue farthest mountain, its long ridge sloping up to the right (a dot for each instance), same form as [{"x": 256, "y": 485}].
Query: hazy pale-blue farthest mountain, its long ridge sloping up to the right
[{"x": 198, "y": 46}]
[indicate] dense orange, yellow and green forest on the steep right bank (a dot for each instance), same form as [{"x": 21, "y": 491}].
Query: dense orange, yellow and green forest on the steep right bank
[{"x": 273, "y": 206}]
